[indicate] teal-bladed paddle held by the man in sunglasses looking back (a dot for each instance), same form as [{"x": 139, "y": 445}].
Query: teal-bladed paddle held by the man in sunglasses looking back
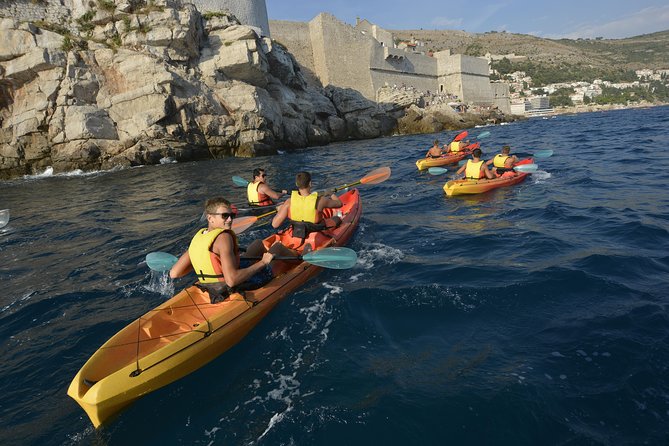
[{"x": 333, "y": 258}]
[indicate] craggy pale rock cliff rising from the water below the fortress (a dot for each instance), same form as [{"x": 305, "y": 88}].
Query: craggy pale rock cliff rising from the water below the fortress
[{"x": 143, "y": 81}]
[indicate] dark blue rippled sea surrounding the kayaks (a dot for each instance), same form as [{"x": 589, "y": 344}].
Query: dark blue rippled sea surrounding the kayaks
[{"x": 530, "y": 315}]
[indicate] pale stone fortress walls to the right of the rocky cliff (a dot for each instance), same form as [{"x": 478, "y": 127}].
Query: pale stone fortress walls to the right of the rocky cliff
[{"x": 365, "y": 59}]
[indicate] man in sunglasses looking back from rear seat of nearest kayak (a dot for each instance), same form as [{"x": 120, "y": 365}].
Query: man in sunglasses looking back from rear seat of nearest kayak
[{"x": 214, "y": 255}]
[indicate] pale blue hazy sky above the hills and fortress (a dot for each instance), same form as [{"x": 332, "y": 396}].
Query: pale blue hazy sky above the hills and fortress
[{"x": 613, "y": 19}]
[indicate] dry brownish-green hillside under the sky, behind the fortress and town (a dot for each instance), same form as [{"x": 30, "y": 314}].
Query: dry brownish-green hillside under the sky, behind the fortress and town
[{"x": 644, "y": 51}]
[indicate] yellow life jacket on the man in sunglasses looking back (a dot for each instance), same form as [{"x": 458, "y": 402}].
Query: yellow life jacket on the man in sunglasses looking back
[{"x": 206, "y": 264}]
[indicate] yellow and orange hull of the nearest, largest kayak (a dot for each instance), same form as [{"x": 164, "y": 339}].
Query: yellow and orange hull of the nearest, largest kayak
[{"x": 188, "y": 331}]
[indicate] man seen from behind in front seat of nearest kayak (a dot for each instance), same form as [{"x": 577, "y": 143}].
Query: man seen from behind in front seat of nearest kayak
[{"x": 304, "y": 209}]
